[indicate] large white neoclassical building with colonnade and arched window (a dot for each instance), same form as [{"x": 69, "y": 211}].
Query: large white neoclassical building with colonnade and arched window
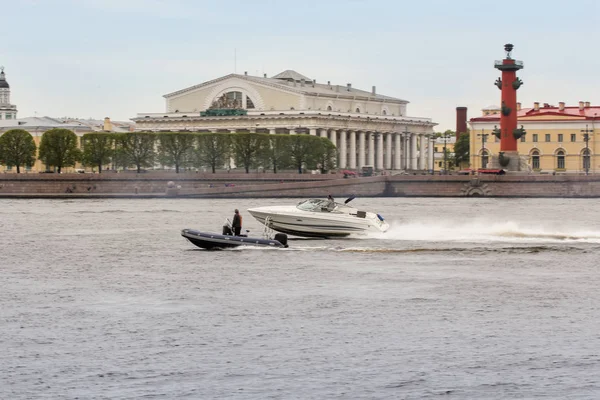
[{"x": 367, "y": 128}]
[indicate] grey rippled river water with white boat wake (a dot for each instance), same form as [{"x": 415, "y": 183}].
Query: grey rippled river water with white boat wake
[{"x": 461, "y": 299}]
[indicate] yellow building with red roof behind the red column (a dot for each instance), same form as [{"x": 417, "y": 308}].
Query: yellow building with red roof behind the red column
[{"x": 558, "y": 139}]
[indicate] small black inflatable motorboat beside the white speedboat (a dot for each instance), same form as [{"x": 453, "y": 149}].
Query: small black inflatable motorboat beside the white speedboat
[{"x": 226, "y": 240}]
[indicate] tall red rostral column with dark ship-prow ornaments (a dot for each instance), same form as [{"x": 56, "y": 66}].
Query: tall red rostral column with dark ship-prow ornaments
[{"x": 509, "y": 84}]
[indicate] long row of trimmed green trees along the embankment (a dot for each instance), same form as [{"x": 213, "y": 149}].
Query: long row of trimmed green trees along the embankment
[{"x": 59, "y": 148}]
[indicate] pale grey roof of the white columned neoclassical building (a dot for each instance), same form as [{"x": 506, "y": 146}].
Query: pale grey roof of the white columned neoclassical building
[{"x": 288, "y": 82}]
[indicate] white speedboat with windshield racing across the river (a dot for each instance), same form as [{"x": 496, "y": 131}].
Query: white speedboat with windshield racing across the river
[{"x": 320, "y": 218}]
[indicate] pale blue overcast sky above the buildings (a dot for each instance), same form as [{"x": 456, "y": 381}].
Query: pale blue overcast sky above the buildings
[{"x": 116, "y": 58}]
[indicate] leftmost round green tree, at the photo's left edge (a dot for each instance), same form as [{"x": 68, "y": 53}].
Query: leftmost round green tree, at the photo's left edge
[{"x": 17, "y": 148}]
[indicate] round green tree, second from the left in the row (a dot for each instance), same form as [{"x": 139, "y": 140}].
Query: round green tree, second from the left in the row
[{"x": 58, "y": 148}]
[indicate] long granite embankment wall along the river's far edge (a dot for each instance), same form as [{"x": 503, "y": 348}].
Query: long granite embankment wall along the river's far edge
[{"x": 292, "y": 185}]
